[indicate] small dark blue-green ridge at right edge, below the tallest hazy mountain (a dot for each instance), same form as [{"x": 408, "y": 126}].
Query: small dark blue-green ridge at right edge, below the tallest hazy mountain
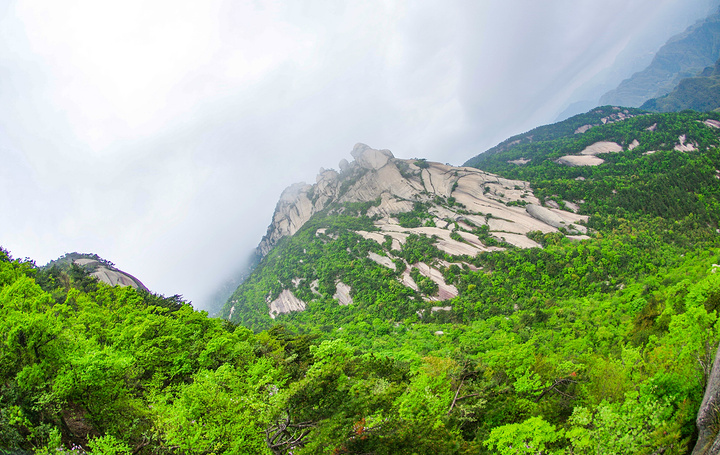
[{"x": 700, "y": 93}]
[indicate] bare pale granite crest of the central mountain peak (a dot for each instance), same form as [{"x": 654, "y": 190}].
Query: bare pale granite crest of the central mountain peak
[{"x": 398, "y": 184}]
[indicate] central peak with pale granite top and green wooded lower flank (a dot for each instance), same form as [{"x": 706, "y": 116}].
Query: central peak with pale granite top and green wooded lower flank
[{"x": 382, "y": 215}]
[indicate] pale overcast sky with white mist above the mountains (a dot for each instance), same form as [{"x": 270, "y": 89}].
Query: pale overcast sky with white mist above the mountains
[{"x": 159, "y": 134}]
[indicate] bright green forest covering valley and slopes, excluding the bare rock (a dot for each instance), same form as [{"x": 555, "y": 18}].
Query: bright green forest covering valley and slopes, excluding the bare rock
[{"x": 598, "y": 346}]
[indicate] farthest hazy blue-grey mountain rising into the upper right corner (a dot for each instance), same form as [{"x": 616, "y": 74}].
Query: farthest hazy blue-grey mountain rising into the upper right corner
[{"x": 683, "y": 56}]
